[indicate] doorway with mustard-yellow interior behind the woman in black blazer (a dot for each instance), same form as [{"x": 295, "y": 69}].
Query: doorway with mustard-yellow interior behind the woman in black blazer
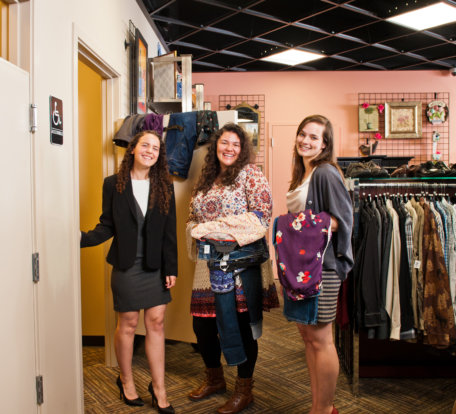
[{"x": 97, "y": 107}]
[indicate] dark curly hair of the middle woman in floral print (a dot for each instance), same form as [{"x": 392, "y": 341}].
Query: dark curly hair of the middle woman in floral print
[{"x": 212, "y": 171}]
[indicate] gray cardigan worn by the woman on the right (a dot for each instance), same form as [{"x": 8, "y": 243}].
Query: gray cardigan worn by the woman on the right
[{"x": 328, "y": 193}]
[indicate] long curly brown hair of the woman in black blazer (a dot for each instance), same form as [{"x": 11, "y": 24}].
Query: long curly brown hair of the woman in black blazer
[{"x": 161, "y": 186}]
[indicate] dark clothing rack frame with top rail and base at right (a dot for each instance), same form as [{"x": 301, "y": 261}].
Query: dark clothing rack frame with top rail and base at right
[{"x": 349, "y": 341}]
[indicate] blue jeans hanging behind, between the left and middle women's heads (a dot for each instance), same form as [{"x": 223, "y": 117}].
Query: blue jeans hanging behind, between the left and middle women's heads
[{"x": 180, "y": 142}]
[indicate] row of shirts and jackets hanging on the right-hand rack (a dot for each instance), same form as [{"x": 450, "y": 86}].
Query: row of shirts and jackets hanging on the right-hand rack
[{"x": 405, "y": 283}]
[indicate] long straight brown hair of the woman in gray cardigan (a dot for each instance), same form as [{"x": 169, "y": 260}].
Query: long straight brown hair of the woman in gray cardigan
[{"x": 325, "y": 156}]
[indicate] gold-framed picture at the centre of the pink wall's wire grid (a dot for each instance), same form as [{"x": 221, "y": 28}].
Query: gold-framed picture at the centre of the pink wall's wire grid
[{"x": 403, "y": 119}]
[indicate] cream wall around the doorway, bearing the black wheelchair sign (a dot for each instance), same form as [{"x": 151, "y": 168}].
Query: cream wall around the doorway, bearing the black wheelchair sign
[{"x": 103, "y": 25}]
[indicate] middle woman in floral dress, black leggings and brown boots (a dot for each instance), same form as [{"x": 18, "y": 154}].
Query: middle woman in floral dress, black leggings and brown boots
[{"x": 230, "y": 185}]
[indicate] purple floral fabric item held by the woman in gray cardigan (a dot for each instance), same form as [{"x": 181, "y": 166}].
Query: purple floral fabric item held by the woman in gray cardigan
[{"x": 300, "y": 240}]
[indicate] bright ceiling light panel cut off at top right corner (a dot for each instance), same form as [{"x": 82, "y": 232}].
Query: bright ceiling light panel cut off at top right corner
[{"x": 430, "y": 16}]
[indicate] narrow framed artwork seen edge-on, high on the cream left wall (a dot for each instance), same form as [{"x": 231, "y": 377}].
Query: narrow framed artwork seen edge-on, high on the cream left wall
[{"x": 140, "y": 78}]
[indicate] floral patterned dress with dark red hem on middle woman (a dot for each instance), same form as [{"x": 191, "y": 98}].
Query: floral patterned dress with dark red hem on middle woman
[{"x": 250, "y": 192}]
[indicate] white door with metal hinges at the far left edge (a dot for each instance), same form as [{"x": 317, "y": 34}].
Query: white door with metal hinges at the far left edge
[{"x": 17, "y": 356}]
